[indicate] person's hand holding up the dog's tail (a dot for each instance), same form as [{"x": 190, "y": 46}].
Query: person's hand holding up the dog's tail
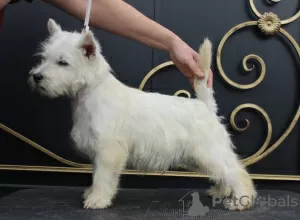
[{"x": 185, "y": 59}]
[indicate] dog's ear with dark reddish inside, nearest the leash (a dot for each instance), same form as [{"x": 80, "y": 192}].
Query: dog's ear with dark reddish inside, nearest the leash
[{"x": 88, "y": 44}]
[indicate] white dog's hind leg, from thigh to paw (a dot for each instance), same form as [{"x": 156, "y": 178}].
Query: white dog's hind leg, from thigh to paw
[{"x": 224, "y": 168}]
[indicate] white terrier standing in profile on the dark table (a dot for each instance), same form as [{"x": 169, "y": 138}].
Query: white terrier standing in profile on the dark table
[{"x": 119, "y": 126}]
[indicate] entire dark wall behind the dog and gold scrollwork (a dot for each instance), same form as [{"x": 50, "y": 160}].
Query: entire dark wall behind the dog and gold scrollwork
[{"x": 48, "y": 122}]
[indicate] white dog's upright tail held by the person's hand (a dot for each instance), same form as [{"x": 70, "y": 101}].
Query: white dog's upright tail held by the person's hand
[{"x": 204, "y": 62}]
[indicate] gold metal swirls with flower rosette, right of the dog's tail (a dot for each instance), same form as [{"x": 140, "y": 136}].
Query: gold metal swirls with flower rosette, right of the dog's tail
[{"x": 268, "y": 23}]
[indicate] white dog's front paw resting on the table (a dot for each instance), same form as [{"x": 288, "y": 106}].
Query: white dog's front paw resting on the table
[{"x": 95, "y": 201}]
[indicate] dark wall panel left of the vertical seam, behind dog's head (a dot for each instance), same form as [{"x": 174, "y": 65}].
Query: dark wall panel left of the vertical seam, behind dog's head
[{"x": 48, "y": 122}]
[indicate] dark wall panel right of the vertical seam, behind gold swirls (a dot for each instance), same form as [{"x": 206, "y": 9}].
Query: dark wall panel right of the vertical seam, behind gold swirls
[{"x": 278, "y": 94}]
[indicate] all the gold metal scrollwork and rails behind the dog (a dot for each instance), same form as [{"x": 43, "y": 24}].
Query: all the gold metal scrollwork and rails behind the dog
[{"x": 269, "y": 24}]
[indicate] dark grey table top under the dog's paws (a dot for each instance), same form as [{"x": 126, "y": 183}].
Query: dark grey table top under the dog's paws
[{"x": 63, "y": 203}]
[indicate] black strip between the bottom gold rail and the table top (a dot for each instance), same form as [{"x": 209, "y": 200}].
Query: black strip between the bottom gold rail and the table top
[{"x": 142, "y": 182}]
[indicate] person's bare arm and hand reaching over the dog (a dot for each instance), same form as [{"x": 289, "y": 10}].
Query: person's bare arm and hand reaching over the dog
[{"x": 118, "y": 17}]
